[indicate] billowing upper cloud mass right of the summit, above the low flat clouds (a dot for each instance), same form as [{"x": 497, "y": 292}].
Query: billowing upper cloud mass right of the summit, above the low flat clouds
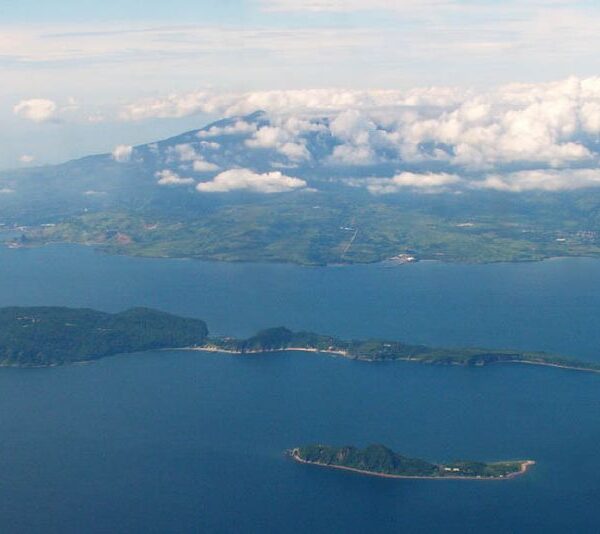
[{"x": 552, "y": 123}]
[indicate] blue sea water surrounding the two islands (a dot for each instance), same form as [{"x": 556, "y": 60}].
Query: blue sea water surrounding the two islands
[{"x": 193, "y": 442}]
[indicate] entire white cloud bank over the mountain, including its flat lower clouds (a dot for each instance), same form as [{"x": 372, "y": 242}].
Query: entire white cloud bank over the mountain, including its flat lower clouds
[{"x": 514, "y": 138}]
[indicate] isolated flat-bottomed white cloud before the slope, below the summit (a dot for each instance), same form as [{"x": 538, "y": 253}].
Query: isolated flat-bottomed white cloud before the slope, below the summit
[{"x": 247, "y": 180}]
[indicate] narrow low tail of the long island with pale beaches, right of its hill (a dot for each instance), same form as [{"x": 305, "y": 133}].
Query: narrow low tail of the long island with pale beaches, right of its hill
[{"x": 281, "y": 338}]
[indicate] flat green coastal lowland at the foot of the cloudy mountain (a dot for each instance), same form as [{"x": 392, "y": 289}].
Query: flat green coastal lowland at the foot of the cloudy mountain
[{"x": 327, "y": 228}]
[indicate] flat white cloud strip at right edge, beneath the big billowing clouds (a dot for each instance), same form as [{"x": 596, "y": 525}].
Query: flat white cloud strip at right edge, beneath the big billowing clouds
[{"x": 541, "y": 180}]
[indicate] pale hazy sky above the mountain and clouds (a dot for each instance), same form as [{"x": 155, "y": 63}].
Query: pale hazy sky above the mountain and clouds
[{"x": 71, "y": 67}]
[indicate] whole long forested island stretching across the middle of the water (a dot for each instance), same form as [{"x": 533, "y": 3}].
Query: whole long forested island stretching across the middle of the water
[{"x": 45, "y": 336}]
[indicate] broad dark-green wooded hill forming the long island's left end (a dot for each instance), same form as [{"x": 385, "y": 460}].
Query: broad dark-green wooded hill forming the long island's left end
[{"x": 34, "y": 337}]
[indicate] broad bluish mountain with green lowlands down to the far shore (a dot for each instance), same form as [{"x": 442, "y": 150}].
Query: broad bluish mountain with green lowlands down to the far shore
[{"x": 309, "y": 191}]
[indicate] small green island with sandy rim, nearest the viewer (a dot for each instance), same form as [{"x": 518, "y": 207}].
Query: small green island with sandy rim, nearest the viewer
[{"x": 378, "y": 460}]
